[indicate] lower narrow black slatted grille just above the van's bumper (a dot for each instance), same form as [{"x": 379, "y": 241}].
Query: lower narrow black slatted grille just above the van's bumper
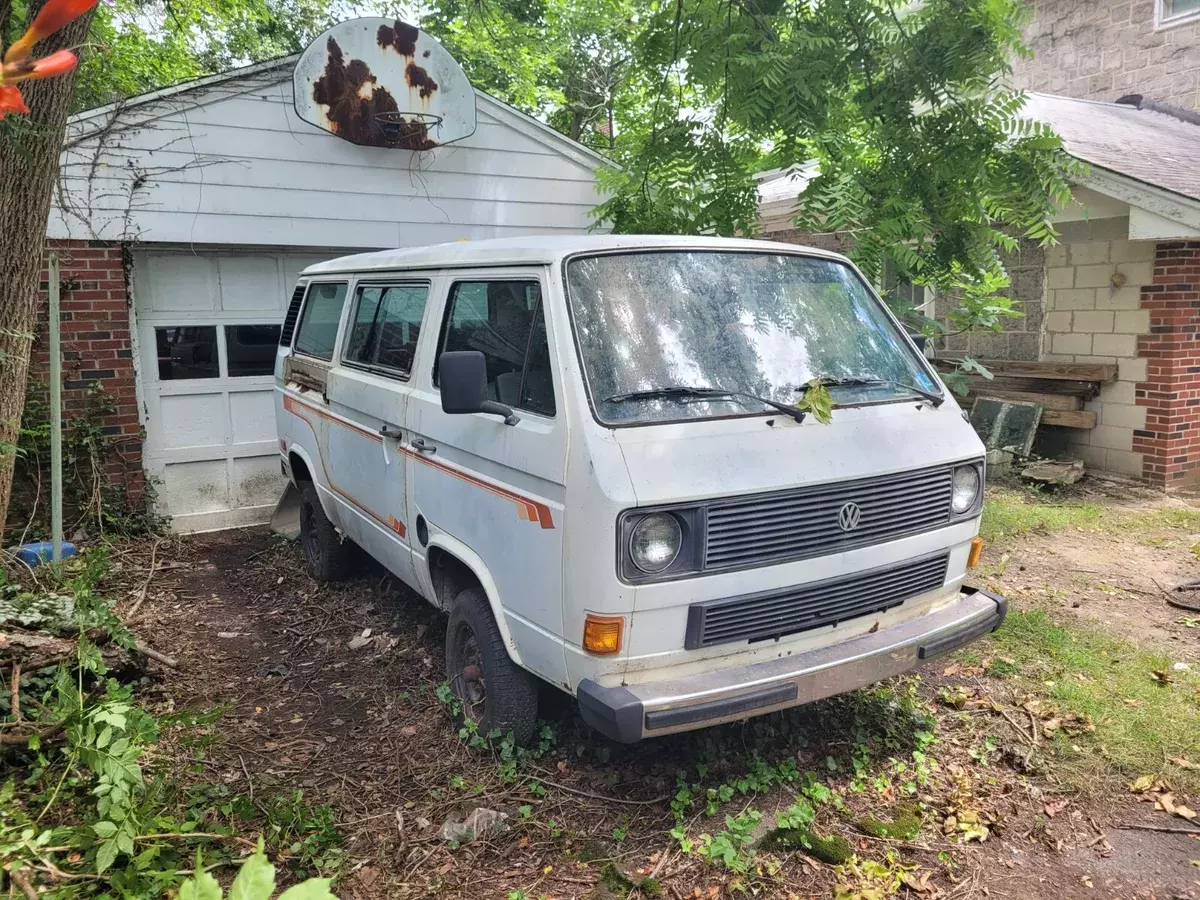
[{"x": 777, "y": 614}]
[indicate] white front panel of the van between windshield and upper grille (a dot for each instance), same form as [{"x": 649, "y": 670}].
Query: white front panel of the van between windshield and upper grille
[{"x": 698, "y": 460}]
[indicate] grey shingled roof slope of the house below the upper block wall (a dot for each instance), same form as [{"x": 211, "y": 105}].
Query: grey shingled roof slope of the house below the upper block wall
[{"x": 1149, "y": 147}]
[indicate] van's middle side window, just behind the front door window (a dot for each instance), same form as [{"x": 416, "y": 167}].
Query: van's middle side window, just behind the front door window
[{"x": 387, "y": 325}]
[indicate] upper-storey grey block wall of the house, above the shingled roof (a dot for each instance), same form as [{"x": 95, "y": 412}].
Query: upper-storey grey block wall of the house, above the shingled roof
[{"x": 1103, "y": 50}]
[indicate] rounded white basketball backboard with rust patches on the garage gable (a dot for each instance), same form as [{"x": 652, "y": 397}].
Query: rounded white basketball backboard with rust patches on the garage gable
[{"x": 385, "y": 83}]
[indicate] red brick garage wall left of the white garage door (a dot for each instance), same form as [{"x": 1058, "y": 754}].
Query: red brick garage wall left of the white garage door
[{"x": 97, "y": 347}]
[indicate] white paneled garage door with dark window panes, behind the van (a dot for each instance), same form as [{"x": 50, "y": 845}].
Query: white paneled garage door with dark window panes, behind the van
[{"x": 208, "y": 328}]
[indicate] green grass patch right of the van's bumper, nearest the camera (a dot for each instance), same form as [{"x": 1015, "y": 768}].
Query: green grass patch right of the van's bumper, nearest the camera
[{"x": 1139, "y": 723}]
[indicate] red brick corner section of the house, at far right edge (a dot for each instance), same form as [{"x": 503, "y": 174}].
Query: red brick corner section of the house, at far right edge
[{"x": 1171, "y": 394}]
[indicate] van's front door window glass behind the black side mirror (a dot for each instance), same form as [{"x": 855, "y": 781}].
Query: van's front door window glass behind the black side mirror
[{"x": 505, "y": 321}]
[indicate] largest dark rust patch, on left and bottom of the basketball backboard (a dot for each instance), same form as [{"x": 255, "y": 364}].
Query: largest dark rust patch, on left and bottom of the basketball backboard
[{"x": 359, "y": 109}]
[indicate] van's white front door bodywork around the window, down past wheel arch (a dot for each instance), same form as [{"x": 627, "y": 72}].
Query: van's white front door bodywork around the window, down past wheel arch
[{"x": 499, "y": 490}]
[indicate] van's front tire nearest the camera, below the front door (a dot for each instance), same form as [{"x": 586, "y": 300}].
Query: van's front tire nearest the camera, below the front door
[{"x": 495, "y": 692}]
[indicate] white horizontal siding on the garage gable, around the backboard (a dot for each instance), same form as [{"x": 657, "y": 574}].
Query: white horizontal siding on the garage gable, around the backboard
[{"x": 231, "y": 164}]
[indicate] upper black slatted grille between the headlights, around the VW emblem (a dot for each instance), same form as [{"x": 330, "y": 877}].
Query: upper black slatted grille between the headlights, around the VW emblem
[{"x": 793, "y": 525}]
